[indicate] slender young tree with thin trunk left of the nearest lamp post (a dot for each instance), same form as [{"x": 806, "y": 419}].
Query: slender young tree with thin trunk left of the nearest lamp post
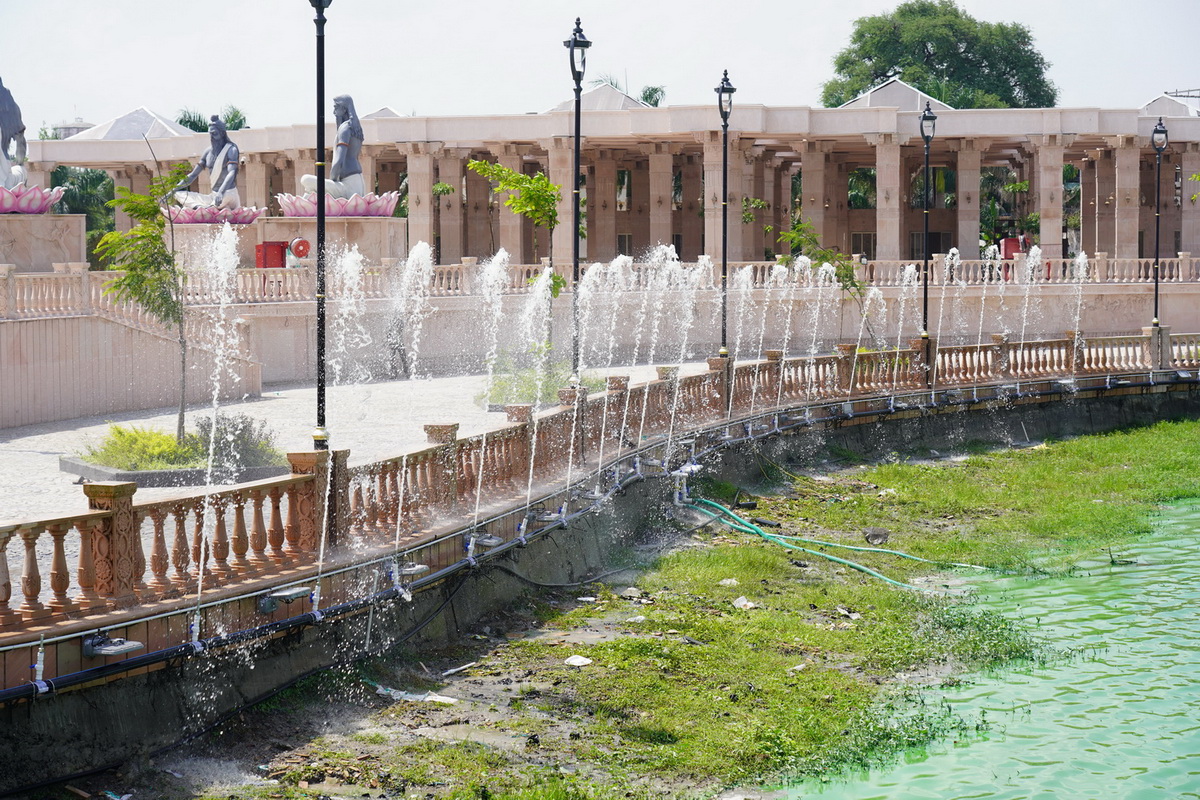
[{"x": 152, "y": 278}]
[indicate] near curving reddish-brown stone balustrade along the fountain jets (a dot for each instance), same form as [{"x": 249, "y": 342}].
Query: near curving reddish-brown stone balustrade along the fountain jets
[{"x": 123, "y": 554}]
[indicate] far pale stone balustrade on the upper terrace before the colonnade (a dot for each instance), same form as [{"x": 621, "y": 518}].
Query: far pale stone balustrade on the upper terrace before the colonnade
[{"x": 73, "y": 290}]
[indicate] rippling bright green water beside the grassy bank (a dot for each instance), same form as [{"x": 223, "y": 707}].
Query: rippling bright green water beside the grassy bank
[{"x": 1119, "y": 721}]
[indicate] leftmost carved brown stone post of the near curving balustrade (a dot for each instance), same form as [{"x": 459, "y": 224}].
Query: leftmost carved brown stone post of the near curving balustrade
[{"x": 115, "y": 542}]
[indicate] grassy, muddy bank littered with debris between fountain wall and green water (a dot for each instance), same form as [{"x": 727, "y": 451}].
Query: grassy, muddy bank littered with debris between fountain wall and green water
[{"x": 729, "y": 660}]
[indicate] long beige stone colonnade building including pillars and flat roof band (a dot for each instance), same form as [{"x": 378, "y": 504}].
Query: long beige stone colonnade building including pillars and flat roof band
[{"x": 635, "y": 157}]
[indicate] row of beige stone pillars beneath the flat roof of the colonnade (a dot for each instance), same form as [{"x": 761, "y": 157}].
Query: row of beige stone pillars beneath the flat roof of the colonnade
[{"x": 674, "y": 194}]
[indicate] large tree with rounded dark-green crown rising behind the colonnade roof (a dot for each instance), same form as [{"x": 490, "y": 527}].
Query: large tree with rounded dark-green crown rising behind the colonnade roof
[{"x": 940, "y": 50}]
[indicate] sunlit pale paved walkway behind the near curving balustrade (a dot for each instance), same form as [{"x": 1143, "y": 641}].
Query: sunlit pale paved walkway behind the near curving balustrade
[{"x": 374, "y": 422}]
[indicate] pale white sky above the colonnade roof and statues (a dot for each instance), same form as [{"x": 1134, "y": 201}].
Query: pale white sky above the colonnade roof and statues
[{"x": 98, "y": 59}]
